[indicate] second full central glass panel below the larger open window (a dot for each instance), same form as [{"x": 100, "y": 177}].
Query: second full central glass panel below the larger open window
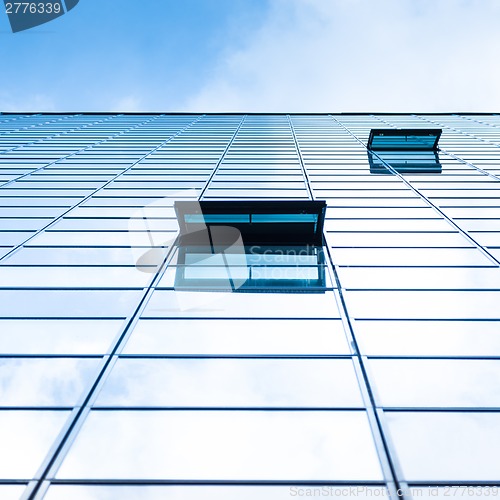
[{"x": 278, "y": 337}]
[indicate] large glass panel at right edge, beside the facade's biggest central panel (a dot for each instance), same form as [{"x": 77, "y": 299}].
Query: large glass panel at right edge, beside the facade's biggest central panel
[{"x": 446, "y": 446}]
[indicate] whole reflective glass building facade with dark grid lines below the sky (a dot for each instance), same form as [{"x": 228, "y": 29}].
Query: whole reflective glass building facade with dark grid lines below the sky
[{"x": 368, "y": 367}]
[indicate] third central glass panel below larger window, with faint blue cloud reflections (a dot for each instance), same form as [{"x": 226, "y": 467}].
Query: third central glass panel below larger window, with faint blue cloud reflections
[{"x": 232, "y": 383}]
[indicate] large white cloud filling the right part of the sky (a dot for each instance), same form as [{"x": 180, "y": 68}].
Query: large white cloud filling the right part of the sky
[{"x": 362, "y": 55}]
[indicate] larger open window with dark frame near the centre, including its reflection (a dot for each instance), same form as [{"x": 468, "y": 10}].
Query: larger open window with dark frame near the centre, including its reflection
[{"x": 250, "y": 246}]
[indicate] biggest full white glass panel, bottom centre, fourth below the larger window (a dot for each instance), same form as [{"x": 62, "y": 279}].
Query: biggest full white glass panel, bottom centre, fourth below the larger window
[{"x": 234, "y": 445}]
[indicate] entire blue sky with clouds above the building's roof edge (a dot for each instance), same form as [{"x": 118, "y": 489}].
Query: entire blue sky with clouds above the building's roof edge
[{"x": 257, "y": 55}]
